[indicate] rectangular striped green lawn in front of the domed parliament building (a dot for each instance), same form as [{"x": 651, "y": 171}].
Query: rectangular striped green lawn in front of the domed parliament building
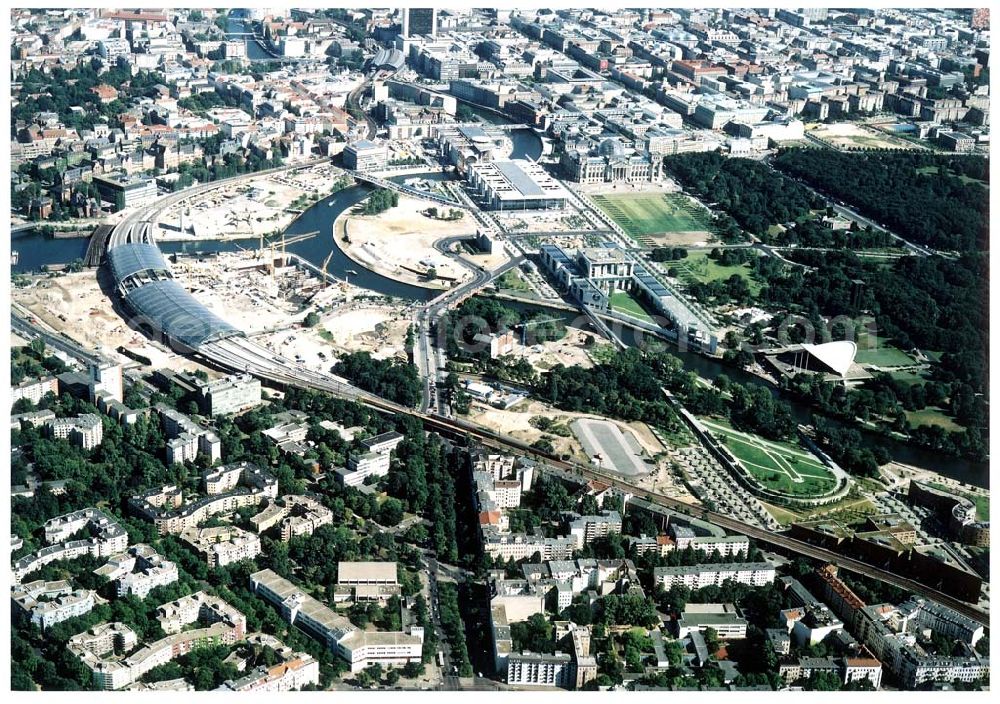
[{"x": 642, "y": 215}]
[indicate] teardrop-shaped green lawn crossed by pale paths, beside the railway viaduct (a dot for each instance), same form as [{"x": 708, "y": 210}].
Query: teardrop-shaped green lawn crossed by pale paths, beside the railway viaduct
[{"x": 778, "y": 466}]
